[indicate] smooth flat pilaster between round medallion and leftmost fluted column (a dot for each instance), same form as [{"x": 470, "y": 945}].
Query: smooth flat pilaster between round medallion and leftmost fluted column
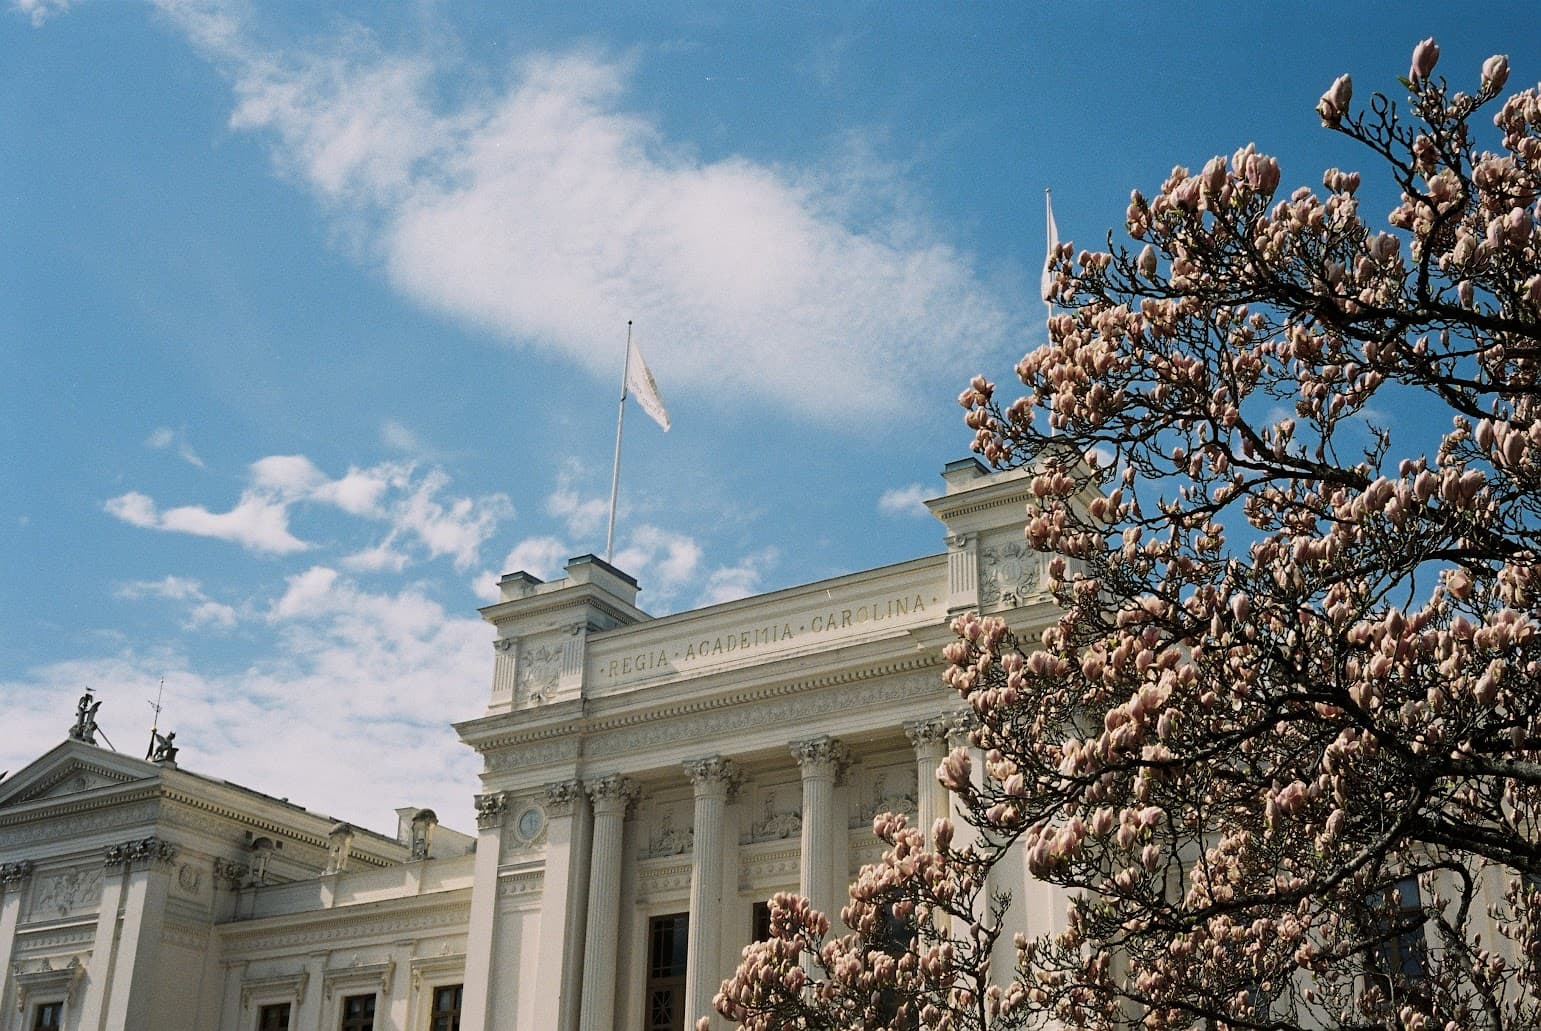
[{"x": 565, "y": 905}]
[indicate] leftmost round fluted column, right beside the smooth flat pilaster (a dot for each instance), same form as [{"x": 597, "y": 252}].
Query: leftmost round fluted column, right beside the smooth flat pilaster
[{"x": 614, "y": 798}]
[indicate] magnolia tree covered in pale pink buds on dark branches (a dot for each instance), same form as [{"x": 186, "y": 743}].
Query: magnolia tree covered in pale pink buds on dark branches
[{"x": 1283, "y": 750}]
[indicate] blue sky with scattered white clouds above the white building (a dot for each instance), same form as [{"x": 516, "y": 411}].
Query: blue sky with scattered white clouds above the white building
[{"x": 312, "y": 317}]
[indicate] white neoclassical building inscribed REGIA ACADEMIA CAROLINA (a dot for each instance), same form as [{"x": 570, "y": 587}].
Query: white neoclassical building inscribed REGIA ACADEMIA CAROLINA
[{"x": 648, "y": 784}]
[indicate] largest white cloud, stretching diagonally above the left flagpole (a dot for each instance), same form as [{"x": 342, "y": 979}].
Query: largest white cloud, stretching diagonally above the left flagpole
[{"x": 549, "y": 212}]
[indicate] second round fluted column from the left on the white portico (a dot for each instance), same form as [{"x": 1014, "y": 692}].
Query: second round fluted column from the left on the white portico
[{"x": 714, "y": 779}]
